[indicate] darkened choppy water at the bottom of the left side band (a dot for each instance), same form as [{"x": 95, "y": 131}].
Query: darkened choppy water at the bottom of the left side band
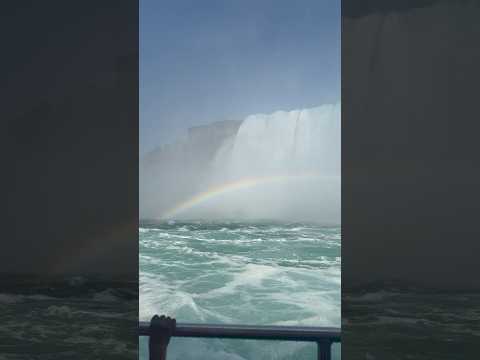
[{"x": 69, "y": 318}]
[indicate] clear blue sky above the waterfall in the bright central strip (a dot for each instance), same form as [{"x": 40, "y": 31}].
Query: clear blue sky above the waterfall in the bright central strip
[{"x": 202, "y": 61}]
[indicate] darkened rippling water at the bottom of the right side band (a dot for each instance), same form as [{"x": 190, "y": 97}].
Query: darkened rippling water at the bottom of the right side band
[{"x": 397, "y": 322}]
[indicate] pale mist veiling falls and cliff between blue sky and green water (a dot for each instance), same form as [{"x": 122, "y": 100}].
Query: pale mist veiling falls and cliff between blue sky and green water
[{"x": 279, "y": 166}]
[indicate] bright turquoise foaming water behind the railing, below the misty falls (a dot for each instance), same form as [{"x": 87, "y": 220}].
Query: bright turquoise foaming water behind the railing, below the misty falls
[{"x": 241, "y": 273}]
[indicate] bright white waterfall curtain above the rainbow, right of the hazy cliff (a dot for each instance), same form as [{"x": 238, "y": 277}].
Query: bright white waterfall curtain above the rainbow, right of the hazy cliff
[{"x": 290, "y": 142}]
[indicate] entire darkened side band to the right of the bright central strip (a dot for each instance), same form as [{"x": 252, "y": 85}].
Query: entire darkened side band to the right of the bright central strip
[{"x": 408, "y": 177}]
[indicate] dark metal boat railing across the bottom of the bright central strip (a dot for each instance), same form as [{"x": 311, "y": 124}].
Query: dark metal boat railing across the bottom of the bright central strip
[{"x": 323, "y": 336}]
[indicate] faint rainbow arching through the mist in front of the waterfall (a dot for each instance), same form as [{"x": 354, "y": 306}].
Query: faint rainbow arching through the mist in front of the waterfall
[{"x": 244, "y": 183}]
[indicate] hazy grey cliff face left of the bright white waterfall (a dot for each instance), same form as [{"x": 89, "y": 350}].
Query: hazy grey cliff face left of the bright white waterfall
[{"x": 173, "y": 166}]
